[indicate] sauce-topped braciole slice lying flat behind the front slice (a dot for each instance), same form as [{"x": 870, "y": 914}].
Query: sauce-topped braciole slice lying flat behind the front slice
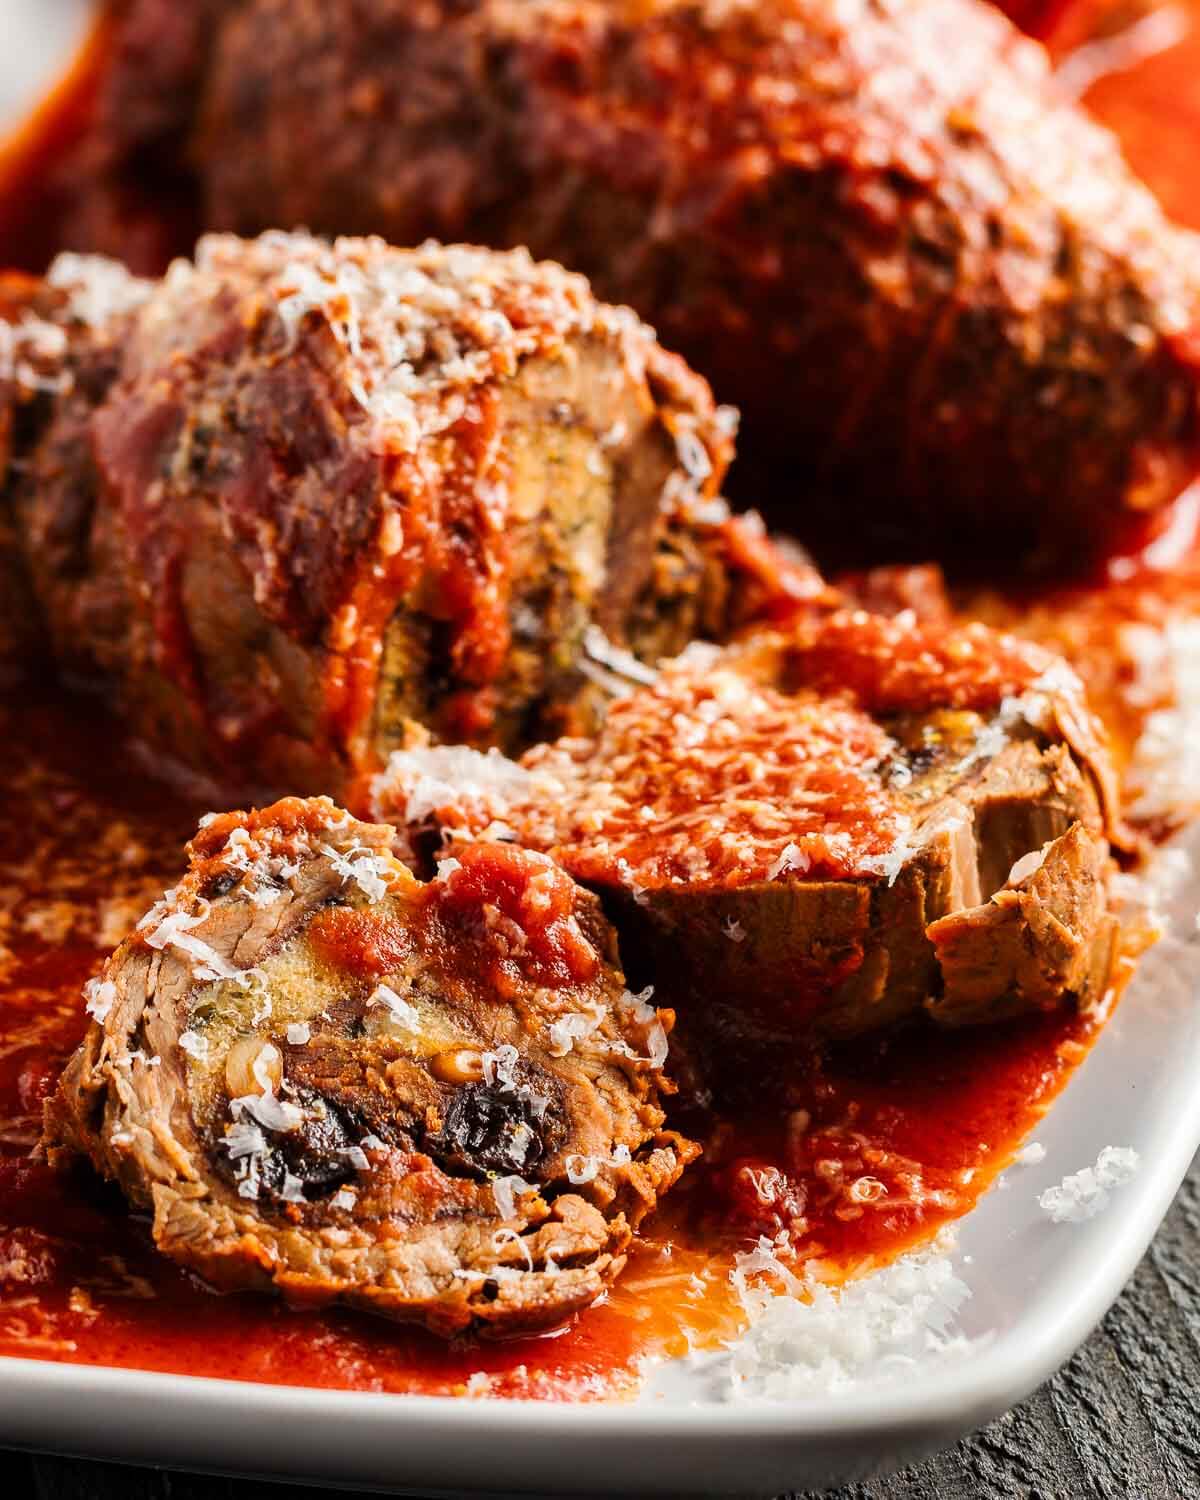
[{"x": 823, "y": 830}]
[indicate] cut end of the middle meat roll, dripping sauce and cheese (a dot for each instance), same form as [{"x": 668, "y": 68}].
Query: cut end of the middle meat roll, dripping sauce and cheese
[{"x": 298, "y": 497}]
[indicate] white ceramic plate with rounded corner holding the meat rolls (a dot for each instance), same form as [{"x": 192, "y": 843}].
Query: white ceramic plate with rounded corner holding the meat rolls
[{"x": 1037, "y": 1288}]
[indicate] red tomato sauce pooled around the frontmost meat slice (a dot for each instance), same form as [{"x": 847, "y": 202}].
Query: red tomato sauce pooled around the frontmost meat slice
[{"x": 88, "y": 842}]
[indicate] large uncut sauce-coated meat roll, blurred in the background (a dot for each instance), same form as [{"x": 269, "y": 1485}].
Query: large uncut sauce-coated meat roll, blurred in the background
[{"x": 929, "y": 281}]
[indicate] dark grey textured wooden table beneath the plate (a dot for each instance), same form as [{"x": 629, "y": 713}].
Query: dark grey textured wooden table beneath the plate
[{"x": 1120, "y": 1423}]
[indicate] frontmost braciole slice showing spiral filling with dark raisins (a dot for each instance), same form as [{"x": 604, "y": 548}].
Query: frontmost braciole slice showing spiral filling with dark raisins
[{"x": 325, "y": 1078}]
